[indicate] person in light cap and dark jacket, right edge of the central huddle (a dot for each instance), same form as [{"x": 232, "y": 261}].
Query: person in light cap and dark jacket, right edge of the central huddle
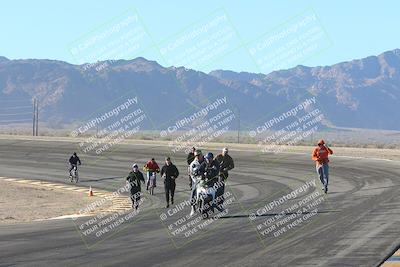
[{"x": 226, "y": 164}]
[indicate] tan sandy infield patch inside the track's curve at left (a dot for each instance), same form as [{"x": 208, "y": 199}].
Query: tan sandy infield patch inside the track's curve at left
[{"x": 23, "y": 202}]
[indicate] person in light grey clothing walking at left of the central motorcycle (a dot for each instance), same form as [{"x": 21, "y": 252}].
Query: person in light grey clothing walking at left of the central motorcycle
[{"x": 196, "y": 171}]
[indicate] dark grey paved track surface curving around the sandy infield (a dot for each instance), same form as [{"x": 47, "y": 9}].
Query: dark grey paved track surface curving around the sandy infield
[{"x": 356, "y": 223}]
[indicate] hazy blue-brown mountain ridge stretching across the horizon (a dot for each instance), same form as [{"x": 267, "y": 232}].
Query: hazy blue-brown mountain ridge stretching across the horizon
[{"x": 362, "y": 93}]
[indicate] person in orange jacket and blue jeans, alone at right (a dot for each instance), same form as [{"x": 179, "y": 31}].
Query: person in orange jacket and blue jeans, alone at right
[{"x": 320, "y": 156}]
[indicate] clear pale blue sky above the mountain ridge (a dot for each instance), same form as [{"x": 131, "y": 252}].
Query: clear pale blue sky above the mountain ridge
[{"x": 46, "y": 29}]
